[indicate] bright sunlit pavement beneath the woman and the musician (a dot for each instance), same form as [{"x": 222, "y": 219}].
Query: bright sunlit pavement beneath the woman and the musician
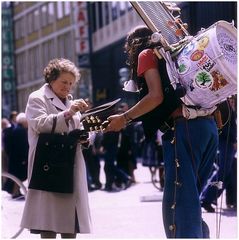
[{"x": 131, "y": 213}]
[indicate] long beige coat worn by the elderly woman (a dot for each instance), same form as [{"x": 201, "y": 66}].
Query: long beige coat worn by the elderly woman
[{"x": 46, "y": 210}]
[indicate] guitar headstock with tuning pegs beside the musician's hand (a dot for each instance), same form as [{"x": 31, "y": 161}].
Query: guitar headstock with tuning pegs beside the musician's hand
[{"x": 94, "y": 123}]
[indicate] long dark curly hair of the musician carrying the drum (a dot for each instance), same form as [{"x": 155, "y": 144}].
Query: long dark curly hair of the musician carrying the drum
[{"x": 137, "y": 40}]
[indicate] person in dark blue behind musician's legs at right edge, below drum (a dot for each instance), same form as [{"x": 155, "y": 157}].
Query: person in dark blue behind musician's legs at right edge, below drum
[{"x": 226, "y": 156}]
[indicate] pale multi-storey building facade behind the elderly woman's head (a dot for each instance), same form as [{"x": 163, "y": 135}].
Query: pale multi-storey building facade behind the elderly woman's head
[{"x": 43, "y": 31}]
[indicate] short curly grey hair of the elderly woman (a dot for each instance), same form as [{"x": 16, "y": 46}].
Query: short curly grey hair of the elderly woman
[{"x": 58, "y": 65}]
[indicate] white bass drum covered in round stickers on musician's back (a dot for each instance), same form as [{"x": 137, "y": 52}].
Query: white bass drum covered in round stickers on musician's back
[{"x": 207, "y": 66}]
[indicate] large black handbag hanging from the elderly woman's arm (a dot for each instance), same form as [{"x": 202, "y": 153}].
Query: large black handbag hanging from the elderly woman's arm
[{"x": 53, "y": 168}]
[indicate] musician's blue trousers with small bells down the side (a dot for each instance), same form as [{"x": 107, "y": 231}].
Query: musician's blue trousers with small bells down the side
[{"x": 188, "y": 160}]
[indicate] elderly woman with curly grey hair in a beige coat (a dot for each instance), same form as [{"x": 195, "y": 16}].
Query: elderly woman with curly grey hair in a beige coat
[{"x": 49, "y": 213}]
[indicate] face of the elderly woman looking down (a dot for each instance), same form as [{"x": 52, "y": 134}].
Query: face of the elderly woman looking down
[{"x": 63, "y": 84}]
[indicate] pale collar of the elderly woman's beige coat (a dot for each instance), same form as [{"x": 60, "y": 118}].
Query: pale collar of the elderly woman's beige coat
[{"x": 54, "y": 99}]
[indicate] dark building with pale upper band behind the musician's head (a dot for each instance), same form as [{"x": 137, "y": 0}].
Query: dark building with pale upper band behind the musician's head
[{"x": 115, "y": 19}]
